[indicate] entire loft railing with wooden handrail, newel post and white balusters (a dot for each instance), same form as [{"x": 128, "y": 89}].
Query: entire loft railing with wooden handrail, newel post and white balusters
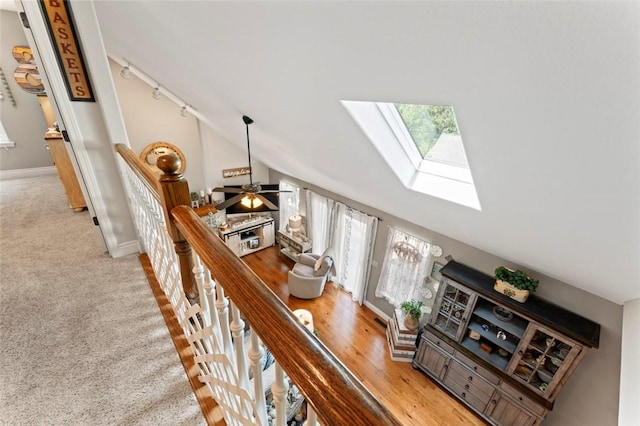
[{"x": 238, "y": 322}]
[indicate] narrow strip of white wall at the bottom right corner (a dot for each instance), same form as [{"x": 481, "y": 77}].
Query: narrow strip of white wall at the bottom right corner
[{"x": 630, "y": 377}]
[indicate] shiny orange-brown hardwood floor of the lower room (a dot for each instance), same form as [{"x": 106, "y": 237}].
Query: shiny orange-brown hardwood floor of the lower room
[{"x": 352, "y": 334}]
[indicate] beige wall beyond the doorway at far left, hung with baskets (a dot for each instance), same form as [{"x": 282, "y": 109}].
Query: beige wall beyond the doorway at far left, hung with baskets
[{"x": 25, "y": 124}]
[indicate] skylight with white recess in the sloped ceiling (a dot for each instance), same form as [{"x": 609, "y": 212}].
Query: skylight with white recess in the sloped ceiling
[{"x": 423, "y": 146}]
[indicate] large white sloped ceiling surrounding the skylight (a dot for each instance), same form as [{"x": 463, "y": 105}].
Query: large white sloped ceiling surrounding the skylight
[{"x": 547, "y": 95}]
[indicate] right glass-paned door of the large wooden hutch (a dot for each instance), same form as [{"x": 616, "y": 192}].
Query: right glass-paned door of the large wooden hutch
[{"x": 543, "y": 358}]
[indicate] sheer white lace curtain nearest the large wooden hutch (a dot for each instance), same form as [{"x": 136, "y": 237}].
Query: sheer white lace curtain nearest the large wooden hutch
[{"x": 405, "y": 264}]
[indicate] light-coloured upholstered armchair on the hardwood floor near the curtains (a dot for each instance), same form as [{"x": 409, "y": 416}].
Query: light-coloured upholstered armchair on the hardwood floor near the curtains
[{"x": 310, "y": 274}]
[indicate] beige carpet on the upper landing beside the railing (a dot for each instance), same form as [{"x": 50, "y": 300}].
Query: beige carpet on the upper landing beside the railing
[{"x": 82, "y": 341}]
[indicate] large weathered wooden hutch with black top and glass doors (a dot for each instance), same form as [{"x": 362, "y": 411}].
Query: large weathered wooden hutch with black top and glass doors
[{"x": 505, "y": 360}]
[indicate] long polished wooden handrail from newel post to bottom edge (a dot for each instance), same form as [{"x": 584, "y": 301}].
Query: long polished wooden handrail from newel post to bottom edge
[{"x": 336, "y": 395}]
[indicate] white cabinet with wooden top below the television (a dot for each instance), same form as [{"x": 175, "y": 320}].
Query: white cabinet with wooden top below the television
[{"x": 249, "y": 236}]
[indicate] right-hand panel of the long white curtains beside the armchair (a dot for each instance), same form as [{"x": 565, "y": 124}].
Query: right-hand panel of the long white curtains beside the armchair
[{"x": 353, "y": 239}]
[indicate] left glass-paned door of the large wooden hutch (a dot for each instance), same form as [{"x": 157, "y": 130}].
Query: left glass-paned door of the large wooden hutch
[{"x": 451, "y": 311}]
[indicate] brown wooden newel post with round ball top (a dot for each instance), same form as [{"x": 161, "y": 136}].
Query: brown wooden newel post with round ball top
[{"x": 175, "y": 192}]
